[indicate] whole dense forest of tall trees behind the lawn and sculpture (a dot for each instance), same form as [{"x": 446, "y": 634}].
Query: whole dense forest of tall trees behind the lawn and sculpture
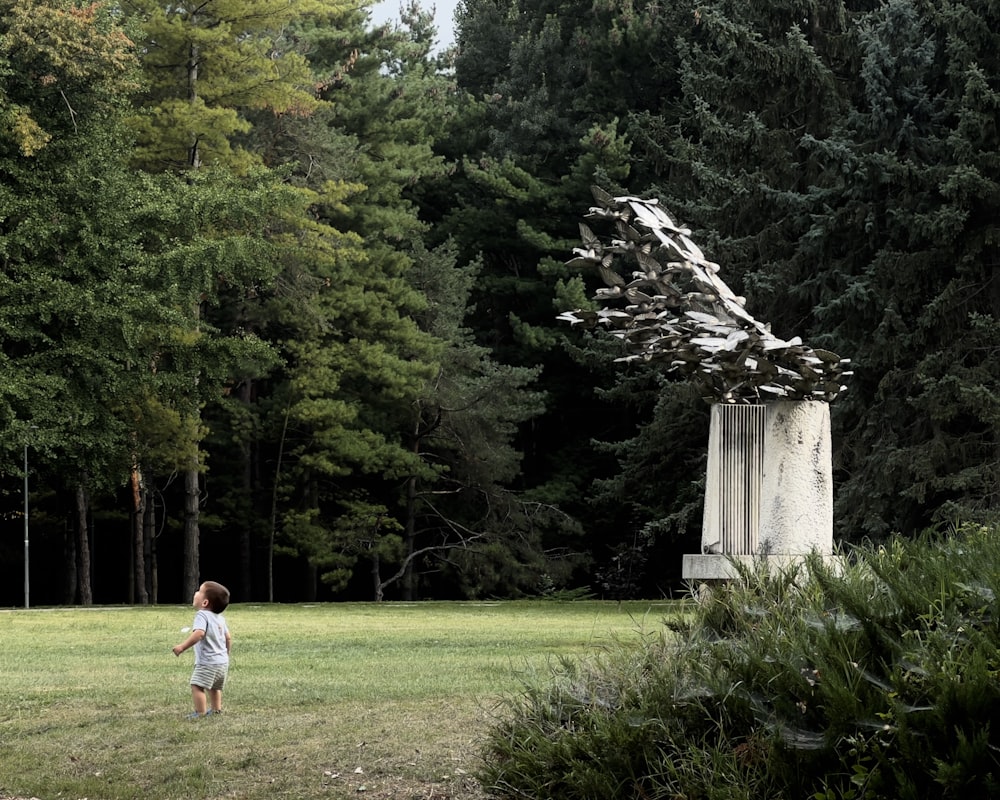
[{"x": 279, "y": 287}]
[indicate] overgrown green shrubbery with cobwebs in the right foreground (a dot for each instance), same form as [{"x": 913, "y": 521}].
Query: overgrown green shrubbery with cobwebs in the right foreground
[{"x": 875, "y": 680}]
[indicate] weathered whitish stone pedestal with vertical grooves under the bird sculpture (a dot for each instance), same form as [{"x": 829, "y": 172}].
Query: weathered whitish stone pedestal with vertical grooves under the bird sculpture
[{"x": 768, "y": 488}]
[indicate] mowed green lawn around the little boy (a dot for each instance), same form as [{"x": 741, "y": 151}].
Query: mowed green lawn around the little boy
[{"x": 323, "y": 701}]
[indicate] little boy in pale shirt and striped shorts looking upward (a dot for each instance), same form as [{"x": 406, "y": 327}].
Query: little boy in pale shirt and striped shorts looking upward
[{"x": 212, "y": 643}]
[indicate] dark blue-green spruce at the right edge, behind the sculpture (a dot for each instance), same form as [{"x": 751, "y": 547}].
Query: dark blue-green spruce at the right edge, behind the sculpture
[{"x": 903, "y": 235}]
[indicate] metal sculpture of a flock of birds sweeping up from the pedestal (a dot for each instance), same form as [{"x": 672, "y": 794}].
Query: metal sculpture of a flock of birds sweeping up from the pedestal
[{"x": 679, "y": 312}]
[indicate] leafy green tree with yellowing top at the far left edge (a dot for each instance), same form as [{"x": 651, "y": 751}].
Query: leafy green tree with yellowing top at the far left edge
[{"x": 79, "y": 301}]
